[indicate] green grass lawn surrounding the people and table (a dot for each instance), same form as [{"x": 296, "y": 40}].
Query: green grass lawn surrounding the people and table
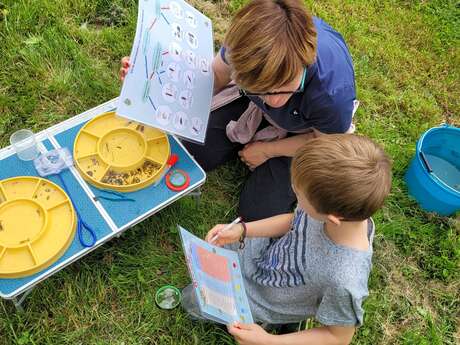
[{"x": 59, "y": 58}]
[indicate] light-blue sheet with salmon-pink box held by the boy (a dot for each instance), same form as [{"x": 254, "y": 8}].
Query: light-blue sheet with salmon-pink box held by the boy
[{"x": 217, "y": 280}]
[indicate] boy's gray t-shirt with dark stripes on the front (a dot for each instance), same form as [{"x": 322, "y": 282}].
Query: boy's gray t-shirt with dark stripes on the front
[{"x": 304, "y": 274}]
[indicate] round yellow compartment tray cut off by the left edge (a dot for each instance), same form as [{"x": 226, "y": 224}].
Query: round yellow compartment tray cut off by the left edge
[{"x": 37, "y": 225}]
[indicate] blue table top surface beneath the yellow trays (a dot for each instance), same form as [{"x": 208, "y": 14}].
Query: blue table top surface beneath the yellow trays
[{"x": 122, "y": 214}]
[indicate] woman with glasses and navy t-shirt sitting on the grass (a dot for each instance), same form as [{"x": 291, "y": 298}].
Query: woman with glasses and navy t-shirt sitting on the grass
[{"x": 280, "y": 74}]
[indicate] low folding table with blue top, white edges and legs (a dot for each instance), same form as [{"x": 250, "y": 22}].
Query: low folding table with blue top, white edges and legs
[{"x": 109, "y": 218}]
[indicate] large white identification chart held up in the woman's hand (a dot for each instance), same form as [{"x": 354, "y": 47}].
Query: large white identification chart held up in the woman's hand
[{"x": 170, "y": 81}]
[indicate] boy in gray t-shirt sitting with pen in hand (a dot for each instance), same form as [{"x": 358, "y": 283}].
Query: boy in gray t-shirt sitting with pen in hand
[{"x": 316, "y": 261}]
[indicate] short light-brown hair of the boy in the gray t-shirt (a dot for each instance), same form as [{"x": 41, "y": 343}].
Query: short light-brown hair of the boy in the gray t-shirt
[{"x": 342, "y": 174}]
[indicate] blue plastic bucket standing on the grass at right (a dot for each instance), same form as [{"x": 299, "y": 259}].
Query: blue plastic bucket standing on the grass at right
[{"x": 433, "y": 177}]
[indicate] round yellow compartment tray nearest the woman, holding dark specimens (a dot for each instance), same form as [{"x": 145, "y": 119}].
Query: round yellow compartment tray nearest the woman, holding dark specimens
[{"x": 115, "y": 153}]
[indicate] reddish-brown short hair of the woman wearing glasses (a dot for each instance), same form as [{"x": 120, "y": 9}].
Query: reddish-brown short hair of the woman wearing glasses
[{"x": 269, "y": 42}]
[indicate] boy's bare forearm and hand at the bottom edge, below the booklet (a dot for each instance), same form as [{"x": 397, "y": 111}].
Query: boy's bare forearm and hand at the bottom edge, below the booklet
[{"x": 253, "y": 334}]
